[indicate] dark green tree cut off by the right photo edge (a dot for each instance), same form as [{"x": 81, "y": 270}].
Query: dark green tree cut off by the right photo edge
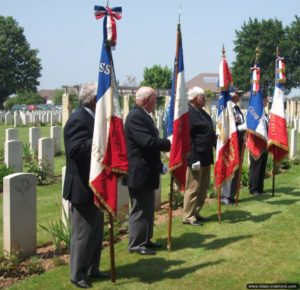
[{"x": 291, "y": 54}]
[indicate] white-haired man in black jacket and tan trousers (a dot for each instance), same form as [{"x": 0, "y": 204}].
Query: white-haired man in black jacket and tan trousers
[{"x": 202, "y": 139}]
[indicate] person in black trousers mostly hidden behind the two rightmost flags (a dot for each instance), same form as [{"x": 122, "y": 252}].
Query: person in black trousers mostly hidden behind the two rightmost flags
[{"x": 257, "y": 168}]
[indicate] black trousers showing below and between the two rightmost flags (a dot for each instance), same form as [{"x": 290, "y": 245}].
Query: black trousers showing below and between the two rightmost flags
[{"x": 257, "y": 172}]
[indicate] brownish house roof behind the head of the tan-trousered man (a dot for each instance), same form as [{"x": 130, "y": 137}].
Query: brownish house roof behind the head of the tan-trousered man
[{"x": 207, "y": 81}]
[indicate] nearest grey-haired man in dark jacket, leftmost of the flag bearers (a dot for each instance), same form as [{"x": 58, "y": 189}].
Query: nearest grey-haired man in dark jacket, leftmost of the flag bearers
[{"x": 87, "y": 219}]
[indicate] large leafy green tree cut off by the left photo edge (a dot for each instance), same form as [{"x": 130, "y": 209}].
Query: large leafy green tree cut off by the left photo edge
[{"x": 19, "y": 65}]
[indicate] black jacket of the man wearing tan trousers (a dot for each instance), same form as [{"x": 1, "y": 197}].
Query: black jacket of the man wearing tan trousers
[{"x": 202, "y": 137}]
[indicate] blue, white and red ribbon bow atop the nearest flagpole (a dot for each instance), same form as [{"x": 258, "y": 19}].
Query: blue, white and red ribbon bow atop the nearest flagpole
[{"x": 109, "y": 24}]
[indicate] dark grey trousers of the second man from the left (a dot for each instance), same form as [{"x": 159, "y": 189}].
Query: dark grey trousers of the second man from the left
[{"x": 141, "y": 217}]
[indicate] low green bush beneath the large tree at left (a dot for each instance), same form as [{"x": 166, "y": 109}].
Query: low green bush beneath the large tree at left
[{"x": 24, "y": 98}]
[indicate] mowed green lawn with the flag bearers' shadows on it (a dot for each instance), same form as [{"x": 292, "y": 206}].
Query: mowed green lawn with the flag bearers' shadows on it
[{"x": 256, "y": 242}]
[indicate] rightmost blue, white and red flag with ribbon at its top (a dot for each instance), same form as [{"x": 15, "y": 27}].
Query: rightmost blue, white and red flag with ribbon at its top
[{"x": 277, "y": 133}]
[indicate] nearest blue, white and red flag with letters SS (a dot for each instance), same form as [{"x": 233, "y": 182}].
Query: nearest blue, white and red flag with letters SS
[{"x": 109, "y": 159}]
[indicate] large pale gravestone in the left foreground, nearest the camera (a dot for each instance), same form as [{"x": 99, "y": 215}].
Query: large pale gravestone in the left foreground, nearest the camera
[{"x": 19, "y": 214}]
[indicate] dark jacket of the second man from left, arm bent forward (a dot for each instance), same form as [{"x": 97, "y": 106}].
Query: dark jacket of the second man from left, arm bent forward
[{"x": 143, "y": 150}]
